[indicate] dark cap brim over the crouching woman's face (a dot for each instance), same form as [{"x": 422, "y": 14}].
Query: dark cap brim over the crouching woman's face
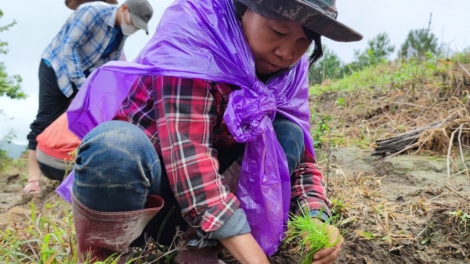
[{"x": 308, "y": 16}]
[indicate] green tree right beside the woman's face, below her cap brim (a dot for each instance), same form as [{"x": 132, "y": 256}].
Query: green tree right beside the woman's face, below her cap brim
[{"x": 328, "y": 67}]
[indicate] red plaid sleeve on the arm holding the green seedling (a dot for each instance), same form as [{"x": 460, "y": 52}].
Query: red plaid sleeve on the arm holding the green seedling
[{"x": 307, "y": 187}]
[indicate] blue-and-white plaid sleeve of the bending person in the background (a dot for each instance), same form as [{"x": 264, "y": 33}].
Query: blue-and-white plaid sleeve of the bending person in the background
[{"x": 83, "y": 21}]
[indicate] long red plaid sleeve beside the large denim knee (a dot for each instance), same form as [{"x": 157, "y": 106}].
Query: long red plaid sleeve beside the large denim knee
[{"x": 186, "y": 114}]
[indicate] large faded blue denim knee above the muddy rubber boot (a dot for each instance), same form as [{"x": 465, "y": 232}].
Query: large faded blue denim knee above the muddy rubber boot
[{"x": 116, "y": 168}]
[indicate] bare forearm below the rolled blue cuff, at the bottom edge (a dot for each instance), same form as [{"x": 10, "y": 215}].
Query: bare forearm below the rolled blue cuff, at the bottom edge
[{"x": 245, "y": 249}]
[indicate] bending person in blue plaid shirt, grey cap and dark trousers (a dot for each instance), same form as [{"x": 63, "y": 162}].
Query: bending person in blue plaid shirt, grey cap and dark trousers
[{"x": 93, "y": 35}]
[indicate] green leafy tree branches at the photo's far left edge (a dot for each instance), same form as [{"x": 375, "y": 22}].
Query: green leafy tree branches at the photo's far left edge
[{"x": 9, "y": 85}]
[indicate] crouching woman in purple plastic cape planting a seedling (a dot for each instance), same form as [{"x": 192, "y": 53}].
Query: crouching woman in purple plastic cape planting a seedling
[{"x": 213, "y": 120}]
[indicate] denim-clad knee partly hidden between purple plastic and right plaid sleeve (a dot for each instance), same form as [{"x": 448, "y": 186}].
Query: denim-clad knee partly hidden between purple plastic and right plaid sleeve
[{"x": 291, "y": 139}]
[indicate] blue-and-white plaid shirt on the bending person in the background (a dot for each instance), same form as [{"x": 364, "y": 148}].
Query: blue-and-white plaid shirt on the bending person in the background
[{"x": 83, "y": 44}]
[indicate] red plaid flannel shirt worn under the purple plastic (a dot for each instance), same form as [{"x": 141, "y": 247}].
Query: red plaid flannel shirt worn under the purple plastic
[{"x": 184, "y": 120}]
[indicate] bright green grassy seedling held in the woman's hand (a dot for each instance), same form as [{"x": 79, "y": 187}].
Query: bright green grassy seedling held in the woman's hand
[{"x": 312, "y": 235}]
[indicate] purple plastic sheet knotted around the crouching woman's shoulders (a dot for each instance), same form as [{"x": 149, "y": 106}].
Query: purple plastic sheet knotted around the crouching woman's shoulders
[{"x": 204, "y": 39}]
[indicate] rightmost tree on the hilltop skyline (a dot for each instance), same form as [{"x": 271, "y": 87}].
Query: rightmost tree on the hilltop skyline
[{"x": 418, "y": 43}]
